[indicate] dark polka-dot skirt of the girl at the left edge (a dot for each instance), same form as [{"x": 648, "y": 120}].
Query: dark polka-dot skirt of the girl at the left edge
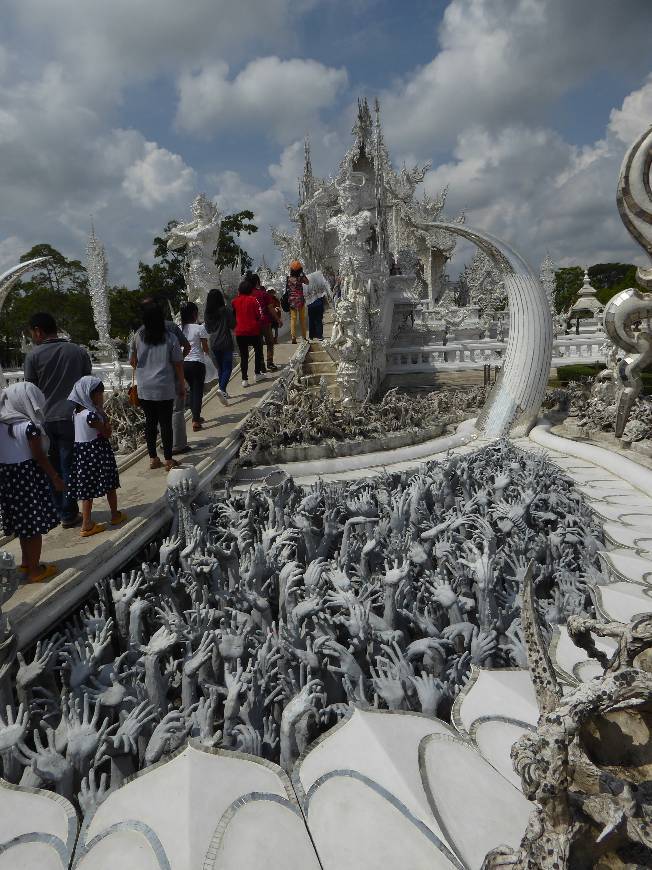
[{"x": 26, "y": 505}]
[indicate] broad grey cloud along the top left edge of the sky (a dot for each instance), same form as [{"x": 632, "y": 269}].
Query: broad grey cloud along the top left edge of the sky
[{"x": 112, "y": 44}]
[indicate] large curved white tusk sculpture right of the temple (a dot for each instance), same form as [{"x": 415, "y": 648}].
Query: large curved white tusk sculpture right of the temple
[{"x": 515, "y": 400}]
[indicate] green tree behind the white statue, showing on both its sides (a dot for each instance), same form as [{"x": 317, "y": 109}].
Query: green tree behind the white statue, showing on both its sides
[{"x": 164, "y": 279}]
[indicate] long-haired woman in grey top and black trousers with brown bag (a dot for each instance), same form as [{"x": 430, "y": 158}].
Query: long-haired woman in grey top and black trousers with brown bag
[{"x": 157, "y": 358}]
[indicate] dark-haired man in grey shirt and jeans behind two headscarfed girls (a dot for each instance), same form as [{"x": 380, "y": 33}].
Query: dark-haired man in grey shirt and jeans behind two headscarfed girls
[{"x": 55, "y": 365}]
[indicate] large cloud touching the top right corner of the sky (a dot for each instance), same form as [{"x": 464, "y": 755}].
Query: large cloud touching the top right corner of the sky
[{"x": 509, "y": 61}]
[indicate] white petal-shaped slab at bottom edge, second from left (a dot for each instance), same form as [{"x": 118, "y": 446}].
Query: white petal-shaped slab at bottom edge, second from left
[{"x": 183, "y": 802}]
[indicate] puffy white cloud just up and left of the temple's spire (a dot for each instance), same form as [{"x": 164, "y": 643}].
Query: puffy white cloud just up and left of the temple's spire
[{"x": 273, "y": 95}]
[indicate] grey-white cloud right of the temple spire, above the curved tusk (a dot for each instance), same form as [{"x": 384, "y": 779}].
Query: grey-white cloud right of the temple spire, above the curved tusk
[{"x": 538, "y": 192}]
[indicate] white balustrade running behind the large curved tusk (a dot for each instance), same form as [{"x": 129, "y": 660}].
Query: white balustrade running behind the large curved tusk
[{"x": 465, "y": 355}]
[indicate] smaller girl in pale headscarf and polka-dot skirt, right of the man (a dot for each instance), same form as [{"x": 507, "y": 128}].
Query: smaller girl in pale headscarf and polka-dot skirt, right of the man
[{"x": 94, "y": 472}]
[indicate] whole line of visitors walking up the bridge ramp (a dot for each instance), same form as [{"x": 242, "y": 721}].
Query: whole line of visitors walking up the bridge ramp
[{"x": 55, "y": 452}]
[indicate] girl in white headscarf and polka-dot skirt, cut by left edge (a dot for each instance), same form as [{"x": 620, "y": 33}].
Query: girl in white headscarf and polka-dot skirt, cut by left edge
[{"x": 26, "y": 502}]
